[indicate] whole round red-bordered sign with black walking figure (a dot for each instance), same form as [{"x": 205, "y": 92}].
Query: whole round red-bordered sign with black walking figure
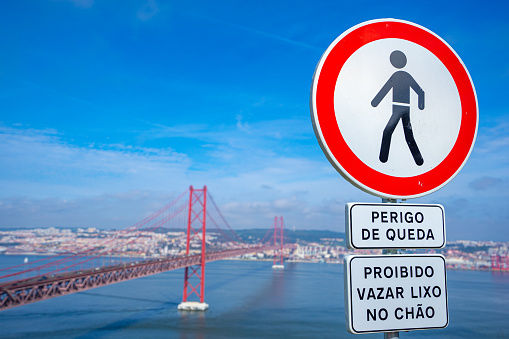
[{"x": 394, "y": 108}]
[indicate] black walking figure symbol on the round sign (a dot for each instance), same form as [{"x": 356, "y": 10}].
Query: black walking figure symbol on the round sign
[{"x": 400, "y": 83}]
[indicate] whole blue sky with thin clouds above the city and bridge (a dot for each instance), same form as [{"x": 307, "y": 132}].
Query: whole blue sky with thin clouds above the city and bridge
[{"x": 108, "y": 109}]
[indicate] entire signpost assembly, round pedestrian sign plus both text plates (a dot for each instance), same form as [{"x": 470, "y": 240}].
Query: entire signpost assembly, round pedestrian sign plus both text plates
[{"x": 372, "y": 77}]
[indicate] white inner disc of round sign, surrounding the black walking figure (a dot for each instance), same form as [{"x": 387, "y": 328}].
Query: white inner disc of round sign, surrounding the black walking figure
[{"x": 435, "y": 127}]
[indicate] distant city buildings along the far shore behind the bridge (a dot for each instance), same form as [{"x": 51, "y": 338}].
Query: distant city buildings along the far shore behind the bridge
[{"x": 311, "y": 246}]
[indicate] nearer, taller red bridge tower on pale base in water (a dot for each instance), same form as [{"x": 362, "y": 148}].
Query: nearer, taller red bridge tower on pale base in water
[{"x": 194, "y": 279}]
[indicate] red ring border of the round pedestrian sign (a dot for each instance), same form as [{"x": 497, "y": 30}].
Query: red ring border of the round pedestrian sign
[{"x": 382, "y": 184}]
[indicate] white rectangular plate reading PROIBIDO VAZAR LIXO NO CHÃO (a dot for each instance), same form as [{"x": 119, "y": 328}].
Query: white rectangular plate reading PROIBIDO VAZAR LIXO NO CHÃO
[{"x": 395, "y": 293}]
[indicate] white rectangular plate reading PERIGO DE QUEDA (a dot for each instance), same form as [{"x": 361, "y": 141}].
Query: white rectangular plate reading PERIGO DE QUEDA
[{"x": 386, "y": 225}]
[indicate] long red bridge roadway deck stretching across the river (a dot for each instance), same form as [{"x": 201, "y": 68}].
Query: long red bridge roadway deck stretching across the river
[{"x": 22, "y": 292}]
